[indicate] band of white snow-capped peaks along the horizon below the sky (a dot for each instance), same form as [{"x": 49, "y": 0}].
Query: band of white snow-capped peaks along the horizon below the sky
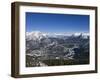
[{"x": 37, "y": 35}]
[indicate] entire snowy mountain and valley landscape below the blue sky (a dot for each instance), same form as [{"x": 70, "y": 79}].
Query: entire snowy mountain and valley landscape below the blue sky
[{"x": 44, "y": 49}]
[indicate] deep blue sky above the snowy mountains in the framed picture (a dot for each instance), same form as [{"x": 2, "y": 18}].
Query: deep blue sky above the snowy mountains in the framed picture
[{"x": 56, "y": 23}]
